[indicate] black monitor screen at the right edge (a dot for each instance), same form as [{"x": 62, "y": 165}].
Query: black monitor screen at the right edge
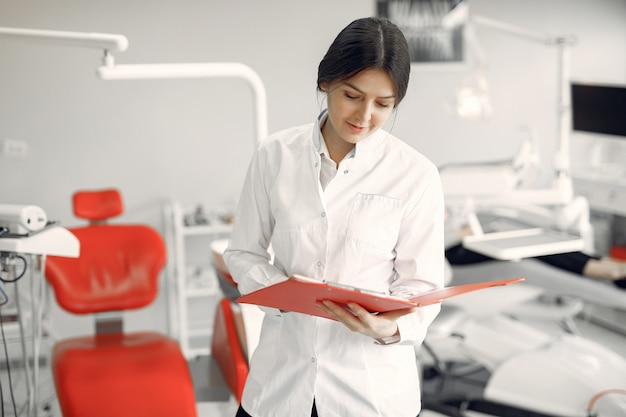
[{"x": 599, "y": 108}]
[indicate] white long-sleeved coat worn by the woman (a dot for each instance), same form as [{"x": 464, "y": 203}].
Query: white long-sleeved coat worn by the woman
[{"x": 377, "y": 224}]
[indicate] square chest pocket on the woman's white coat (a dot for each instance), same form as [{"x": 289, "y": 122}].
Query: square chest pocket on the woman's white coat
[{"x": 375, "y": 221}]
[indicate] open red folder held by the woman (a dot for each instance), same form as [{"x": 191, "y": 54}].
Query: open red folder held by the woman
[{"x": 299, "y": 294}]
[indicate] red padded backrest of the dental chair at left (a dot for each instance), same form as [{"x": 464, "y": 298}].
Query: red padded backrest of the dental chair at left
[{"x": 118, "y": 269}]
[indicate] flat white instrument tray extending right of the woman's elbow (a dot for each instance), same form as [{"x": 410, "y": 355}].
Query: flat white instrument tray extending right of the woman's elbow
[{"x": 524, "y": 243}]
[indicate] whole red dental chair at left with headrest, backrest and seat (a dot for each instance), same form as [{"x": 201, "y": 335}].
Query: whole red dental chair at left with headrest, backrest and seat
[{"x": 113, "y": 373}]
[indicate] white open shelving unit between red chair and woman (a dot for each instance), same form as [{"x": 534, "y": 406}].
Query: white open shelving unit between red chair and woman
[{"x": 192, "y": 286}]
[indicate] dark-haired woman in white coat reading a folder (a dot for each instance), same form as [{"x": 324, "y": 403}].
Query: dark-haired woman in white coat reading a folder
[{"x": 342, "y": 200}]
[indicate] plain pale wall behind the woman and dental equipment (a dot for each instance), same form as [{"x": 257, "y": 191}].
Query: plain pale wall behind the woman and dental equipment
[{"x": 191, "y": 140}]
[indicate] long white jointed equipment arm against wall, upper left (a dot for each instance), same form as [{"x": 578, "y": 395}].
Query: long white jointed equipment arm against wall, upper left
[{"x": 110, "y": 43}]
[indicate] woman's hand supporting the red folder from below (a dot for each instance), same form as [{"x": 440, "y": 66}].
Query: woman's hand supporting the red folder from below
[{"x": 358, "y": 319}]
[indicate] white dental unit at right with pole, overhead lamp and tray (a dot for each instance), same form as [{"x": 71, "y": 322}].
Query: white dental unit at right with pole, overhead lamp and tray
[{"x": 556, "y": 204}]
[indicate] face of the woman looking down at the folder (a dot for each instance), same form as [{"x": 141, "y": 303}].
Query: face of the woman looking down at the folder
[{"x": 358, "y": 106}]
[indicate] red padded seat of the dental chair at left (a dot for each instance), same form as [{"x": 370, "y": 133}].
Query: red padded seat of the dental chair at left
[{"x": 135, "y": 374}]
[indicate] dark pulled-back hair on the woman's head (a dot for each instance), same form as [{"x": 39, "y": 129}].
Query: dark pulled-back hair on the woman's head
[{"x": 368, "y": 43}]
